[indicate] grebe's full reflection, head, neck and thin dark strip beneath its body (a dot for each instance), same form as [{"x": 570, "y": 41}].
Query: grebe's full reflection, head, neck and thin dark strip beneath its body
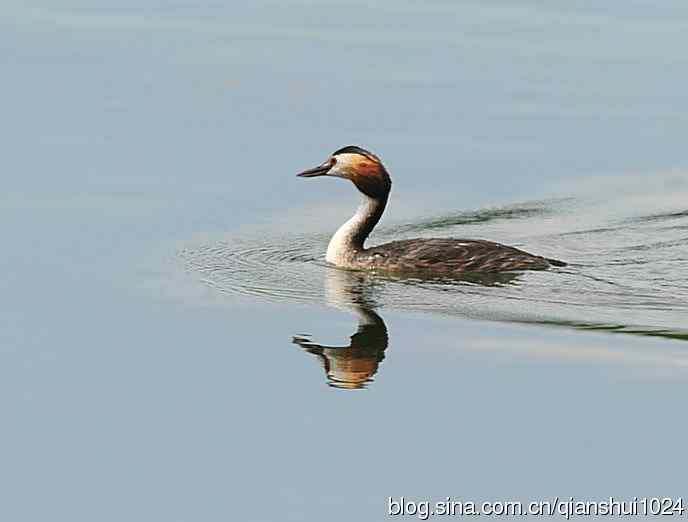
[{"x": 353, "y": 366}]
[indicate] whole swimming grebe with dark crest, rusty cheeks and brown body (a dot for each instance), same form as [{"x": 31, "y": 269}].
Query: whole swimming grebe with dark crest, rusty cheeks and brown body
[{"x": 435, "y": 257}]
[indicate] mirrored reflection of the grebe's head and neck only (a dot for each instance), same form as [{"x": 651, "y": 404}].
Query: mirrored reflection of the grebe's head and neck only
[{"x": 351, "y": 366}]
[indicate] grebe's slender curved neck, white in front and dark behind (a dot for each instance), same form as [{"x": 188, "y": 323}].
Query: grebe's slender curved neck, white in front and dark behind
[{"x": 349, "y": 238}]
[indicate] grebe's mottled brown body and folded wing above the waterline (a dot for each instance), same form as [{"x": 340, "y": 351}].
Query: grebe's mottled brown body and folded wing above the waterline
[{"x": 454, "y": 256}]
